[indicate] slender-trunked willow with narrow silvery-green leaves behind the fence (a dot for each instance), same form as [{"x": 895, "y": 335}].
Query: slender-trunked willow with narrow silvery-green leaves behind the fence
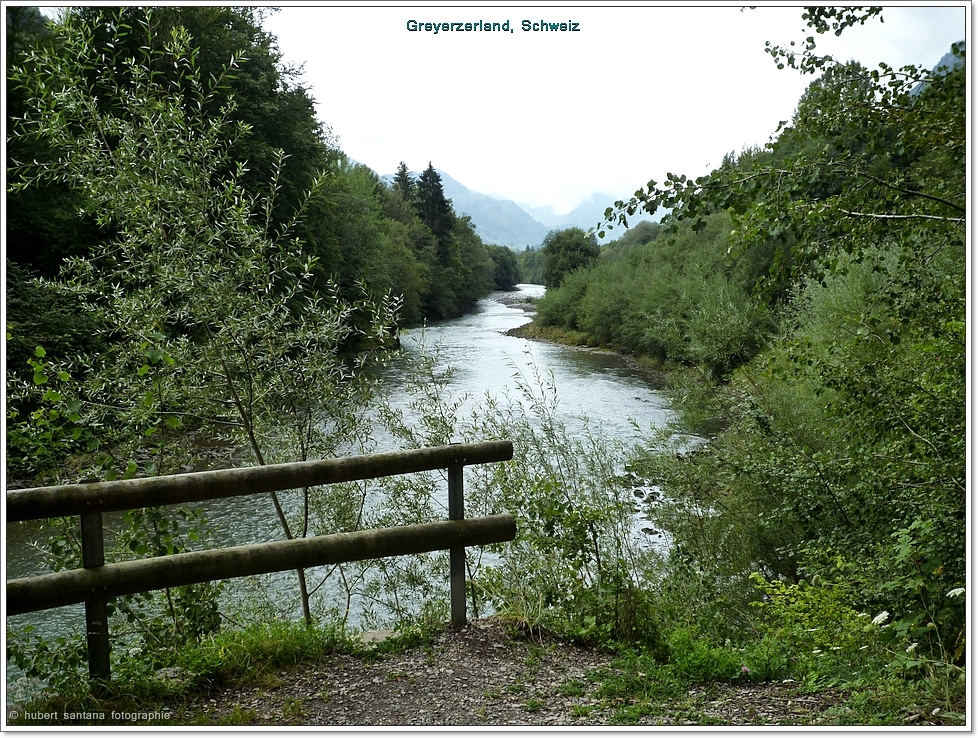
[{"x": 213, "y": 327}]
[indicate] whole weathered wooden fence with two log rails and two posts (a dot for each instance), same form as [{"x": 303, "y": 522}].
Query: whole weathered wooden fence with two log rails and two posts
[{"x": 97, "y": 581}]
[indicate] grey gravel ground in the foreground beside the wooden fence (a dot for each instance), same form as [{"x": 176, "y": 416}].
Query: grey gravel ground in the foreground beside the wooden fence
[{"x": 479, "y": 675}]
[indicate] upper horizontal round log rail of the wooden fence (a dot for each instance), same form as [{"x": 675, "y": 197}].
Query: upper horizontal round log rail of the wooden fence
[{"x": 128, "y": 494}]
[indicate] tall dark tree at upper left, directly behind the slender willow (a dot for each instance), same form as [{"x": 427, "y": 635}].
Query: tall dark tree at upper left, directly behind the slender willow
[{"x": 42, "y": 226}]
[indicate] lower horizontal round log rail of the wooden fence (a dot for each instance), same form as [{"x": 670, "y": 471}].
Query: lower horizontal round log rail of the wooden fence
[{"x": 77, "y": 585}]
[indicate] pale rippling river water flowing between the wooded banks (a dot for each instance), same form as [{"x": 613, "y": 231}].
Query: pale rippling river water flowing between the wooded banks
[{"x": 614, "y": 396}]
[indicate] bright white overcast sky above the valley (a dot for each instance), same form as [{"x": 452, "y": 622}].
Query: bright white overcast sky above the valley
[{"x": 547, "y": 118}]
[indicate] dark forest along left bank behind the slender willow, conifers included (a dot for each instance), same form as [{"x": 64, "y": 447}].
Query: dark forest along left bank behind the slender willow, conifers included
[{"x": 367, "y": 237}]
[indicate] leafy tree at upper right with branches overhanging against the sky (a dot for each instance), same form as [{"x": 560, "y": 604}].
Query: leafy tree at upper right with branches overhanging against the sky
[{"x": 893, "y": 162}]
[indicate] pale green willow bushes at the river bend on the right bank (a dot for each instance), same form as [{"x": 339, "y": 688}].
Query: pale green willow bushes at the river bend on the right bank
[{"x": 679, "y": 299}]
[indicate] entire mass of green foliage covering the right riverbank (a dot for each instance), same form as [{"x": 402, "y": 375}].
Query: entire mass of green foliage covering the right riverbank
[{"x": 811, "y": 297}]
